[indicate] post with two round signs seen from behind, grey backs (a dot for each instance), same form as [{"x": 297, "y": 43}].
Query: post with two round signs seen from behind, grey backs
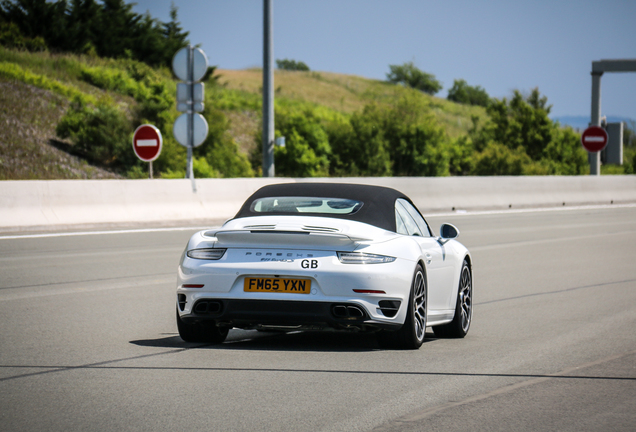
[{"x": 190, "y": 65}]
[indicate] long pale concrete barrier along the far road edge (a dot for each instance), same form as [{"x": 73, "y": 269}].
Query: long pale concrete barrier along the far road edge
[{"x": 42, "y": 205}]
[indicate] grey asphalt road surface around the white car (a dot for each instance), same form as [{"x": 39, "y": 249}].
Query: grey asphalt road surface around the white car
[{"x": 88, "y": 341}]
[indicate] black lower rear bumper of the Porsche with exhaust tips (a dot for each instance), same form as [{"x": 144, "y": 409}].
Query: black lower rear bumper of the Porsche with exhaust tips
[{"x": 249, "y": 313}]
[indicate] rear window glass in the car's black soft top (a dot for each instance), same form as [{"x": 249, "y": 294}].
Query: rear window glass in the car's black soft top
[{"x": 295, "y": 205}]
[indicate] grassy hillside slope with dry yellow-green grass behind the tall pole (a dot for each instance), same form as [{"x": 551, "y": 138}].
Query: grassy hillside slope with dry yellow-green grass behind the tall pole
[{"x": 39, "y": 88}]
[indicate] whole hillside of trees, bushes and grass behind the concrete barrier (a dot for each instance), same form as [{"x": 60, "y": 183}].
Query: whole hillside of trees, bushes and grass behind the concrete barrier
[{"x": 72, "y": 107}]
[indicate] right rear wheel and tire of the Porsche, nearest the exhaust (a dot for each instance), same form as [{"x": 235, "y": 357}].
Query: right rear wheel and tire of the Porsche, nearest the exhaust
[{"x": 411, "y": 335}]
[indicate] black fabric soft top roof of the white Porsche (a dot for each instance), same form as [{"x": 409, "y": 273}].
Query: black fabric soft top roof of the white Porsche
[{"x": 378, "y": 207}]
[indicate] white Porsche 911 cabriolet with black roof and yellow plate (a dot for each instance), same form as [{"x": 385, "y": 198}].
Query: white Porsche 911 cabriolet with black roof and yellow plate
[{"x": 326, "y": 256}]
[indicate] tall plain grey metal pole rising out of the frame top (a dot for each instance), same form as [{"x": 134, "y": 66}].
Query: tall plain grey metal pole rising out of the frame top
[{"x": 268, "y": 91}]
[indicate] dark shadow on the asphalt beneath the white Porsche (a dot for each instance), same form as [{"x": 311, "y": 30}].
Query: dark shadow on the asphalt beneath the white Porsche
[{"x": 251, "y": 340}]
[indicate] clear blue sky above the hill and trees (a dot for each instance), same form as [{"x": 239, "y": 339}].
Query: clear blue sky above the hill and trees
[{"x": 499, "y": 45}]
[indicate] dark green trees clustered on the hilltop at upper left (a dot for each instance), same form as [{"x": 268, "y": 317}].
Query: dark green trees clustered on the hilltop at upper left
[{"x": 109, "y": 28}]
